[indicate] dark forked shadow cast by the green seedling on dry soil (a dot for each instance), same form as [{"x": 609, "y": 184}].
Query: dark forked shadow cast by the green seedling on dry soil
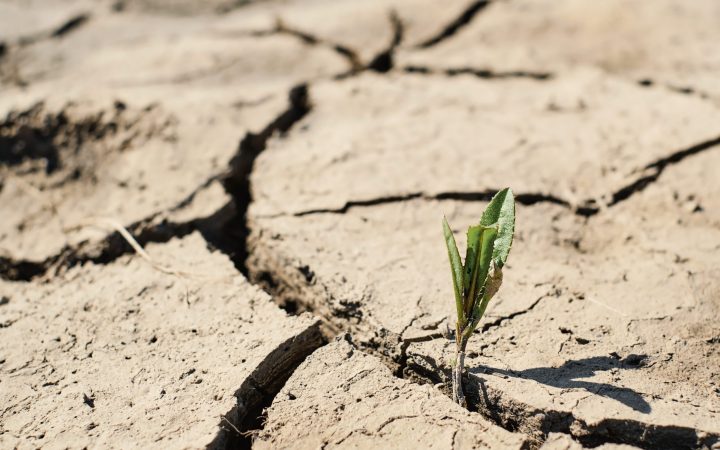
[{"x": 570, "y": 374}]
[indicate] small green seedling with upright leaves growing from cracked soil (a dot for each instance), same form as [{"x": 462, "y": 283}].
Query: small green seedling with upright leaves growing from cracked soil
[{"x": 478, "y": 280}]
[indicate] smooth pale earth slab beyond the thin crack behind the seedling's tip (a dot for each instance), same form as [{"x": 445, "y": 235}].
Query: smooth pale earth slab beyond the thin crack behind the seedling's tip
[{"x": 577, "y": 139}]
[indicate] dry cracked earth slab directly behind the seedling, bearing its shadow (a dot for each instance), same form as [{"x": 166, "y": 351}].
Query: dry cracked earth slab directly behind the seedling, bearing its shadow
[{"x": 616, "y": 342}]
